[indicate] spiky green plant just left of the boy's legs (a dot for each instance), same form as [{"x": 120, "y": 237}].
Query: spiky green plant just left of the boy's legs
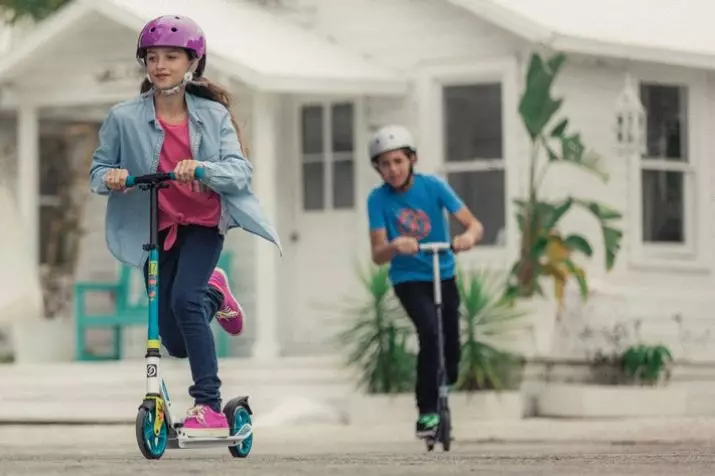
[{"x": 377, "y": 337}]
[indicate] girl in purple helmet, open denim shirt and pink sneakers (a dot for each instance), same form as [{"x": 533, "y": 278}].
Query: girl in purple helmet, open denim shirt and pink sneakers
[{"x": 179, "y": 122}]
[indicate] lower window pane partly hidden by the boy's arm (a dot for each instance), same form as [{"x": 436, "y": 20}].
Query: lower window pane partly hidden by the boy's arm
[{"x": 483, "y": 193}]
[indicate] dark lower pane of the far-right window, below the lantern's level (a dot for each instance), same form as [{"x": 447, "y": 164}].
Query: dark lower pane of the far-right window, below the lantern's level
[{"x": 663, "y": 206}]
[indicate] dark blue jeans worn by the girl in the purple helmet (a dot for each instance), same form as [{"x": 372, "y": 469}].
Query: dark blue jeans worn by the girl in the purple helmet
[{"x": 187, "y": 305}]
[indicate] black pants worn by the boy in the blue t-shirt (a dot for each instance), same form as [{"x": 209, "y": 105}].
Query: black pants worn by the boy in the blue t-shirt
[{"x": 417, "y": 298}]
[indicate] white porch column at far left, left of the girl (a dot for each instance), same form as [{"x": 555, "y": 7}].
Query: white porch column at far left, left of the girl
[{"x": 28, "y": 176}]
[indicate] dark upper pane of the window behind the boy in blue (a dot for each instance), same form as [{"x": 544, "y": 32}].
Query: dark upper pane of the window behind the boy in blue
[{"x": 473, "y": 122}]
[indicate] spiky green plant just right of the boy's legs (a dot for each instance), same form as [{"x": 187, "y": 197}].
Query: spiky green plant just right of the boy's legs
[{"x": 485, "y": 316}]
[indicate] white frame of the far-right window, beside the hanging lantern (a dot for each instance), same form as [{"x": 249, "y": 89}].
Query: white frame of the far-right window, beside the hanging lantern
[{"x": 694, "y": 251}]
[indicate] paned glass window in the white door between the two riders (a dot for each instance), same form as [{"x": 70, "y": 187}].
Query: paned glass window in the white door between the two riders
[{"x": 328, "y": 153}]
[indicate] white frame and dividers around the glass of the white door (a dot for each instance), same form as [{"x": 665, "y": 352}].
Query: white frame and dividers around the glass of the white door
[{"x": 326, "y": 103}]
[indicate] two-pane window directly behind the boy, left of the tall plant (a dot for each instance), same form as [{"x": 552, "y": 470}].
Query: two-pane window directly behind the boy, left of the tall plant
[{"x": 474, "y": 154}]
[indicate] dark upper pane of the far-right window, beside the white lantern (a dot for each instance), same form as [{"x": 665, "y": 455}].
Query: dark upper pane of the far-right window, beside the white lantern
[{"x": 667, "y": 121}]
